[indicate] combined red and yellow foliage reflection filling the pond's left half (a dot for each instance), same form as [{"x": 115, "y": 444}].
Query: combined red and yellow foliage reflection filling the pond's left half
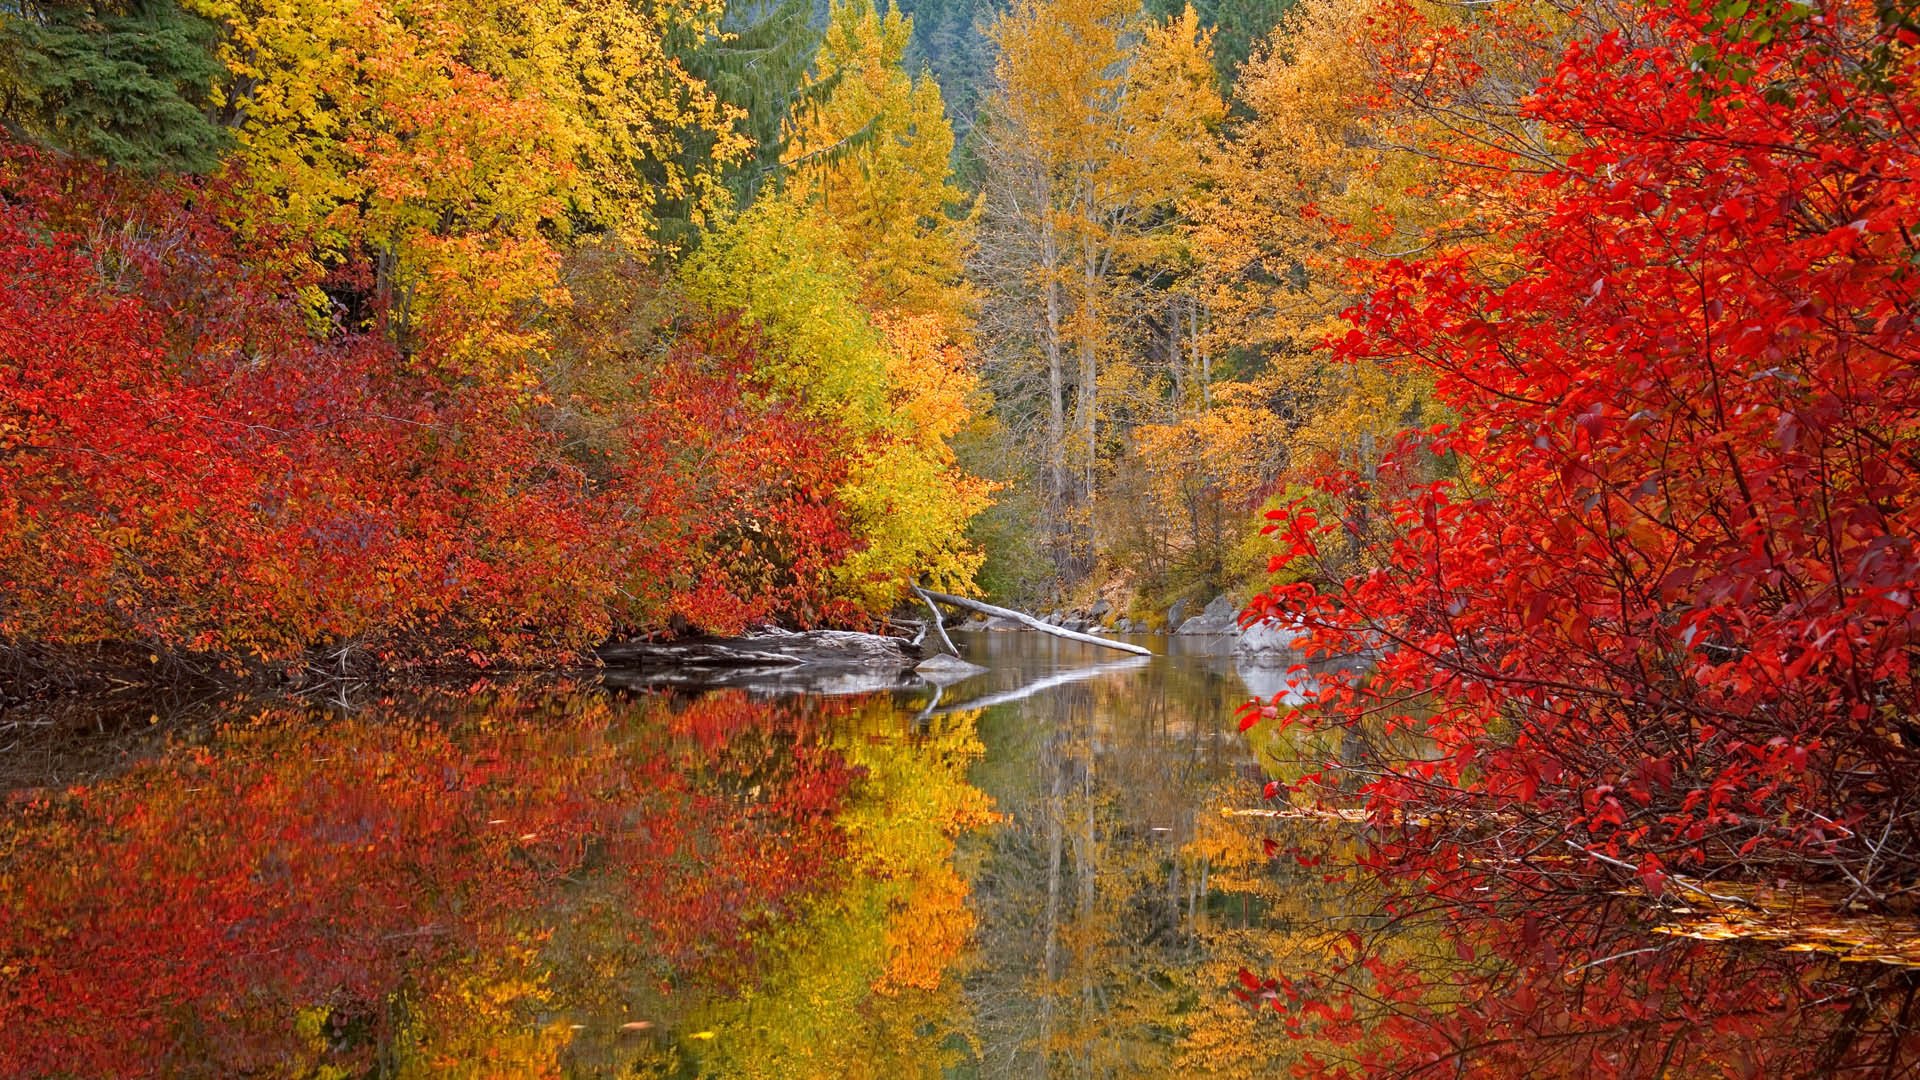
[{"x": 521, "y": 881}]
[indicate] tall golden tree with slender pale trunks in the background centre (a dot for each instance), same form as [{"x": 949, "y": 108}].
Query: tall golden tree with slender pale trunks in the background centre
[{"x": 1093, "y": 141}]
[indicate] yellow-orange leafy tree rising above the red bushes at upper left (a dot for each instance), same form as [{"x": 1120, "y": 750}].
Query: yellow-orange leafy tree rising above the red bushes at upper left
[{"x": 433, "y": 153}]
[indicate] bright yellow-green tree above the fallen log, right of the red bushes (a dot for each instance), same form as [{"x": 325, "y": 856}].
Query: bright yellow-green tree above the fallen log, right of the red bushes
[{"x": 857, "y": 270}]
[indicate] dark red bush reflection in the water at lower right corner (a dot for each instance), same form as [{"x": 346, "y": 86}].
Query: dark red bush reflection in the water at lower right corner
[{"x": 1537, "y": 987}]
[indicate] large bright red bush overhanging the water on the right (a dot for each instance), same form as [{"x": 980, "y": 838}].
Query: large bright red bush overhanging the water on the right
[{"x": 1671, "y": 612}]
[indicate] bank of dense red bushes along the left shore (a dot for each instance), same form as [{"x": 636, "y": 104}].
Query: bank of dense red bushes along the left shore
[{"x": 189, "y": 468}]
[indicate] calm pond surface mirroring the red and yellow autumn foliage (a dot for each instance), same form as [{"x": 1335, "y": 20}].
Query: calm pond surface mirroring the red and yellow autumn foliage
[{"x": 1063, "y": 868}]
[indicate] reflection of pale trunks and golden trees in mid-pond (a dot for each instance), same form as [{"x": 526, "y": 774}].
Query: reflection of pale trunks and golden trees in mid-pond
[{"x": 1088, "y": 904}]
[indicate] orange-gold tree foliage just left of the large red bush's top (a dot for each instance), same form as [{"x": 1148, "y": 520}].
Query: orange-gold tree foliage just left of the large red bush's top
[{"x": 1351, "y": 153}]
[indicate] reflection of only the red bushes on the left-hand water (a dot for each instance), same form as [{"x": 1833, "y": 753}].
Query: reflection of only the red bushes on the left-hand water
[{"x": 185, "y": 912}]
